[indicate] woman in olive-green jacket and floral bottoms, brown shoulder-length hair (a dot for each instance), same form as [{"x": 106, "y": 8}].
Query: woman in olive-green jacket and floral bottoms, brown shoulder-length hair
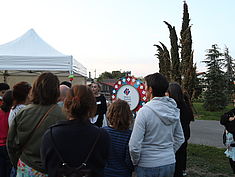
[{"x": 30, "y": 123}]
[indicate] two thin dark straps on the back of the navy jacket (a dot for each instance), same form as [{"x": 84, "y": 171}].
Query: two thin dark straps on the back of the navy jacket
[{"x": 60, "y": 156}]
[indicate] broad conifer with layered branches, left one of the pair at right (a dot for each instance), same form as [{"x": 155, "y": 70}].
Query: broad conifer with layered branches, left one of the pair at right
[{"x": 215, "y": 96}]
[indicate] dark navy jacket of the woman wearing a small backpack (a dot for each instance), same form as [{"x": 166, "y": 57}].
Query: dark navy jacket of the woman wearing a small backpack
[{"x": 74, "y": 140}]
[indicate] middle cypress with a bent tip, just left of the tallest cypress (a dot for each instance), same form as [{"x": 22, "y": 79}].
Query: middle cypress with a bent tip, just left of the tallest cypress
[{"x": 175, "y": 61}]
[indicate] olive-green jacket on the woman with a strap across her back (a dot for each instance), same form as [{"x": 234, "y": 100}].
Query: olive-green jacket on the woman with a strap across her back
[{"x": 24, "y": 144}]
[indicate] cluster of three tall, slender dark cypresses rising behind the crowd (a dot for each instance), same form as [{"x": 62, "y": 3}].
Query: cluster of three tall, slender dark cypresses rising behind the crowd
[{"x": 182, "y": 70}]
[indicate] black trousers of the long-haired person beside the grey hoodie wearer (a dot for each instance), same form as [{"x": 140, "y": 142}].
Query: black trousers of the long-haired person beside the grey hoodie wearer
[{"x": 181, "y": 160}]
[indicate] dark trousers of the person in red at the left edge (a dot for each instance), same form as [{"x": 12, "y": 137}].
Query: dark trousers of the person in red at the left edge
[{"x": 5, "y": 164}]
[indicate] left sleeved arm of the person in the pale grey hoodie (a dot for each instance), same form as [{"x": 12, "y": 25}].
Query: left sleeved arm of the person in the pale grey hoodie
[{"x": 137, "y": 137}]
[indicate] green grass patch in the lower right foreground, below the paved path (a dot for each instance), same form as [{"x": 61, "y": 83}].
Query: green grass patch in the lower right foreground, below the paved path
[{"x": 206, "y": 161}]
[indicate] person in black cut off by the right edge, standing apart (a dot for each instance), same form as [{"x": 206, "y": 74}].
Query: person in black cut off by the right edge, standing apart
[{"x": 228, "y": 120}]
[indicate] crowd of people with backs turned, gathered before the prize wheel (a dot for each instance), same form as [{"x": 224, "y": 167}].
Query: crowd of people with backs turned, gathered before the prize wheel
[{"x": 58, "y": 129}]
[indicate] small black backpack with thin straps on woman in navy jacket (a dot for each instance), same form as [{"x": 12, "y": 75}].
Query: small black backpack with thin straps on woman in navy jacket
[{"x": 67, "y": 171}]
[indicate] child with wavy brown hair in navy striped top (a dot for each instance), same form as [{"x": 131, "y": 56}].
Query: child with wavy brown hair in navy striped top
[{"x": 119, "y": 163}]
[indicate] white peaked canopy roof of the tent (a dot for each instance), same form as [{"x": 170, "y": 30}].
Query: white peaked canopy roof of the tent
[{"x": 31, "y": 53}]
